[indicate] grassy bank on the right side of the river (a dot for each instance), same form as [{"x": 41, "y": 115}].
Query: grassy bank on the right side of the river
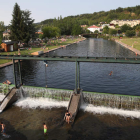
[{"x": 126, "y": 43}]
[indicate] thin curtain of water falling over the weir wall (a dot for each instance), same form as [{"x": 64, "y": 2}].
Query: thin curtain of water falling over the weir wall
[{"x": 126, "y": 102}]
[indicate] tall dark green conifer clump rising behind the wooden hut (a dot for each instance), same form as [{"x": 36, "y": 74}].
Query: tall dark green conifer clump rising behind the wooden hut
[{"x": 22, "y": 28}]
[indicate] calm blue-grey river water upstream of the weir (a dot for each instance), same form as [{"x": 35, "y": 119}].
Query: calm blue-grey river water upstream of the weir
[{"x": 93, "y": 76}]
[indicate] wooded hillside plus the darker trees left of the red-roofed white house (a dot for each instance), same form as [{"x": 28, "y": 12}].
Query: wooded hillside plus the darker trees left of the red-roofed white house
[{"x": 68, "y": 24}]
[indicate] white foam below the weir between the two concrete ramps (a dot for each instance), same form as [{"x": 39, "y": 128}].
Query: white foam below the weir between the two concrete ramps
[{"x": 40, "y": 102}]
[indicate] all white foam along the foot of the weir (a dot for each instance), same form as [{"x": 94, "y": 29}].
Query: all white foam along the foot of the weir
[{"x": 50, "y": 103}]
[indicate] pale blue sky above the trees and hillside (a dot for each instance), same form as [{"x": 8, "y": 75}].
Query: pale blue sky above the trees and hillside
[{"x": 46, "y": 9}]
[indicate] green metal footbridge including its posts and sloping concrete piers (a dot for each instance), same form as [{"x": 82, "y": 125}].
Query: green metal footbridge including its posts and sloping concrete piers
[{"x": 74, "y": 102}]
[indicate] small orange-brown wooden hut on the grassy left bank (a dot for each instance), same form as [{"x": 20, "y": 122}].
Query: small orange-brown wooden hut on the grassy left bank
[{"x": 9, "y": 45}]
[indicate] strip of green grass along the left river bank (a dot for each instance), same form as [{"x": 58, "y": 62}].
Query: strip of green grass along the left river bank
[{"x": 27, "y": 51}]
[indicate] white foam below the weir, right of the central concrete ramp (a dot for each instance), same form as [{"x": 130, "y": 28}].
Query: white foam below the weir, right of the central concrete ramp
[{"x": 107, "y": 110}]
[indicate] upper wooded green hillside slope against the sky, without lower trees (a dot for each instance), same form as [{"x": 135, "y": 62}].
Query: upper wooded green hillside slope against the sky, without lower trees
[{"x": 102, "y": 16}]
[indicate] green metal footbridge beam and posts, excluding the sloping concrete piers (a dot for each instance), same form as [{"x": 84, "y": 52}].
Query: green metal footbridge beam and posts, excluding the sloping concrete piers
[{"x": 77, "y": 60}]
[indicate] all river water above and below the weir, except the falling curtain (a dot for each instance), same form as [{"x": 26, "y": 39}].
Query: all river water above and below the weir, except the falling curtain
[{"x": 92, "y": 123}]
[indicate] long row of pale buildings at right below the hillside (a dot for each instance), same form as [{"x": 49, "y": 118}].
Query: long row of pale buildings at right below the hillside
[{"x": 128, "y": 22}]
